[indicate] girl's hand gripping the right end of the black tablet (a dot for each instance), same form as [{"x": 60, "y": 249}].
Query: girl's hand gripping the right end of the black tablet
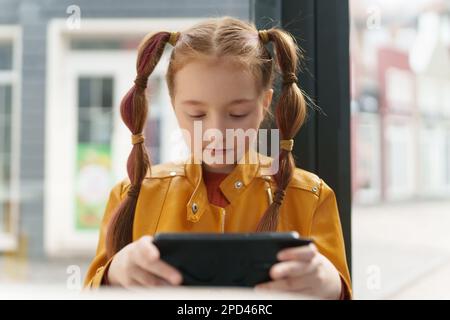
[{"x": 304, "y": 270}]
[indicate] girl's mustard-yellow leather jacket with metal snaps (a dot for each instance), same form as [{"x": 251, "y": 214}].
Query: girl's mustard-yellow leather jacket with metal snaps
[{"x": 173, "y": 198}]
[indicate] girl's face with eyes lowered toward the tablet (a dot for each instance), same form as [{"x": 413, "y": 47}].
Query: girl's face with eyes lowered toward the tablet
[{"x": 216, "y": 95}]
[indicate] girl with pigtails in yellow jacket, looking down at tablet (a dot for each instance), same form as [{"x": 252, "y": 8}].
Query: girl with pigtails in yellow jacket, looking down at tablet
[{"x": 221, "y": 74}]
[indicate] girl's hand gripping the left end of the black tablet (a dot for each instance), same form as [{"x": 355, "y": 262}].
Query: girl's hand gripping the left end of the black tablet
[{"x": 138, "y": 264}]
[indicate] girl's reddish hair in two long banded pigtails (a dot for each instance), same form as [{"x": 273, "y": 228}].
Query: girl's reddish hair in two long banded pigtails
[{"x": 219, "y": 37}]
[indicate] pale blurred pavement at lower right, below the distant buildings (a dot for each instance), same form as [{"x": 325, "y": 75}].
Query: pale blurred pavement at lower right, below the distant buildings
[{"x": 402, "y": 251}]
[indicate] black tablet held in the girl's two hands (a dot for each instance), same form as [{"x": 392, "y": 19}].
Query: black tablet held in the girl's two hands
[{"x": 224, "y": 259}]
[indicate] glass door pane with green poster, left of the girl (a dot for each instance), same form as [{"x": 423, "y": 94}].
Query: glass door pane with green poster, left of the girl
[{"x": 93, "y": 150}]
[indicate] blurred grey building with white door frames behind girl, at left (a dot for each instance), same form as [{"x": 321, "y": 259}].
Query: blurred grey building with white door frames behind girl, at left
[{"x": 64, "y": 68}]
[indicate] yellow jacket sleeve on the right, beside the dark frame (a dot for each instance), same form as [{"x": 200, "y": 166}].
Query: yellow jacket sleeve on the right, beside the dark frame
[{"x": 326, "y": 231}]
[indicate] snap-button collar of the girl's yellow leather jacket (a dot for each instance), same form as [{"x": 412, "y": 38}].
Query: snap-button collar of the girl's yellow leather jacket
[{"x": 232, "y": 186}]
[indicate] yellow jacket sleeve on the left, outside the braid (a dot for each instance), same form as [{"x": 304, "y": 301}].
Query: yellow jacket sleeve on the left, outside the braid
[{"x": 99, "y": 265}]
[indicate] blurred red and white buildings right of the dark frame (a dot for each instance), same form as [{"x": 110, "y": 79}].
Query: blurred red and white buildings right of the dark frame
[{"x": 400, "y": 102}]
